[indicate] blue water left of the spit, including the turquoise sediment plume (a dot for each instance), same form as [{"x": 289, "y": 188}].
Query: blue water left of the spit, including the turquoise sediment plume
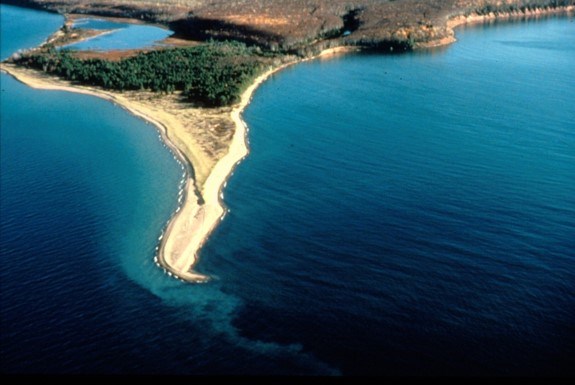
[{"x": 86, "y": 190}]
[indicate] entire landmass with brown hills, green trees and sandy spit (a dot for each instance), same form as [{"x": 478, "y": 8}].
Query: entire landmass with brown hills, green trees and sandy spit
[{"x": 194, "y": 90}]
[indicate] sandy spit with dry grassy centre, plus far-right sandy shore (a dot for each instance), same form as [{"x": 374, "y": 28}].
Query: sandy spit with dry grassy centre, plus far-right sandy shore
[{"x": 208, "y": 156}]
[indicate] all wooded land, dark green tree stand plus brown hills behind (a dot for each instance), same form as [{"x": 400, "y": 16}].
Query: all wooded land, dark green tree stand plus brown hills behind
[{"x": 216, "y": 72}]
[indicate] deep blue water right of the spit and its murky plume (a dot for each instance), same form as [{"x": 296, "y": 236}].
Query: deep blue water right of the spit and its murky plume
[{"x": 415, "y": 213}]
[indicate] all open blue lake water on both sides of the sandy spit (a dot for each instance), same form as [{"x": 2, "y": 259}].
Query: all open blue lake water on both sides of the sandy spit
[{"x": 409, "y": 214}]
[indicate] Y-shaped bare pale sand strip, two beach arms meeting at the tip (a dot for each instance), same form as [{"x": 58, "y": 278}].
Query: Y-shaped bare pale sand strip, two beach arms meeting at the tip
[{"x": 193, "y": 222}]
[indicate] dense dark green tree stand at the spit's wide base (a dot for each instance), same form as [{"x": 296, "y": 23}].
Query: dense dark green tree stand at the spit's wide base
[{"x": 213, "y": 74}]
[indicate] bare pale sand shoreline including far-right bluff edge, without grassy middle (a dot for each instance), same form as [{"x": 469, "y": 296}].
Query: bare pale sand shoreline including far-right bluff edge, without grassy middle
[{"x": 195, "y": 219}]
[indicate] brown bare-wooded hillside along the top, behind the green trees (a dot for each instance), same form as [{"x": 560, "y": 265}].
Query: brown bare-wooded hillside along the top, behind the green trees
[{"x": 301, "y": 25}]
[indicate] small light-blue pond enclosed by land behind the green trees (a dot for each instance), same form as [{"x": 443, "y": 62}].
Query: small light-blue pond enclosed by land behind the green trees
[{"x": 123, "y": 35}]
